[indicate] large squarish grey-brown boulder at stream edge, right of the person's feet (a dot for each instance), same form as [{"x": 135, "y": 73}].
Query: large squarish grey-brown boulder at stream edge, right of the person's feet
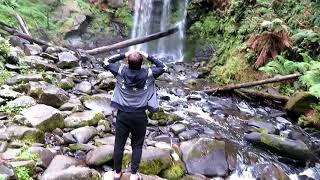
[{"x": 205, "y": 156}]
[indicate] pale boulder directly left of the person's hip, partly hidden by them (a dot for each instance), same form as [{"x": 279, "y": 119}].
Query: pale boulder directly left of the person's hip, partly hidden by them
[{"x": 99, "y": 102}]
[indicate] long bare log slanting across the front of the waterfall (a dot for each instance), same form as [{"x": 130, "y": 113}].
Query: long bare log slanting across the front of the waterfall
[{"x": 131, "y": 42}]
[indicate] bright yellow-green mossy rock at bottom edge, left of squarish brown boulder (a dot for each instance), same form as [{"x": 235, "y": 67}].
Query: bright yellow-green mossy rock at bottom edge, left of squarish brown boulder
[{"x": 175, "y": 172}]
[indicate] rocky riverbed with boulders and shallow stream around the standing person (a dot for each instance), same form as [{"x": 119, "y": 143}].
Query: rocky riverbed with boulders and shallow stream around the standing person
[{"x": 57, "y": 122}]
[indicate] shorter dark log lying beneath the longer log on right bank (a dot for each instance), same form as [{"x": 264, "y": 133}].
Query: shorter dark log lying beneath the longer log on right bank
[{"x": 264, "y": 95}]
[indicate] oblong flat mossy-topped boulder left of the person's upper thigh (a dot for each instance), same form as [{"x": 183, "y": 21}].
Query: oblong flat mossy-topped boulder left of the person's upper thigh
[{"x": 85, "y": 118}]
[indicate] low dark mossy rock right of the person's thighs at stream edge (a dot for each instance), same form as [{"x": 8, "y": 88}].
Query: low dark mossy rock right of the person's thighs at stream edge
[{"x": 163, "y": 117}]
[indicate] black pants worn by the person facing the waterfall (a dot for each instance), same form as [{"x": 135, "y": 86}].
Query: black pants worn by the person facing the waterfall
[{"x": 134, "y": 123}]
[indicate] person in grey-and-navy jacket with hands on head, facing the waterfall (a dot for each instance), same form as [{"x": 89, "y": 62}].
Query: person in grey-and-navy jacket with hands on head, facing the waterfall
[{"x": 135, "y": 92}]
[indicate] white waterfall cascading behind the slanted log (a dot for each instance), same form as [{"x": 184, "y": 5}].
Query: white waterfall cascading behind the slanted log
[{"x": 152, "y": 16}]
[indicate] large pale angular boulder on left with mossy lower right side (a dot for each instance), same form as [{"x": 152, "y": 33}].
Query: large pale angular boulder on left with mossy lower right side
[{"x": 44, "y": 117}]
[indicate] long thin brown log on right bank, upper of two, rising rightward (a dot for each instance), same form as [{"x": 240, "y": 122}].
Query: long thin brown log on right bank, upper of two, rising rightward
[{"x": 251, "y": 84}]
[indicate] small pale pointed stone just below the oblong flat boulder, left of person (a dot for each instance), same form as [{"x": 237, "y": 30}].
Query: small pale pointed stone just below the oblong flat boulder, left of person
[{"x": 84, "y": 134}]
